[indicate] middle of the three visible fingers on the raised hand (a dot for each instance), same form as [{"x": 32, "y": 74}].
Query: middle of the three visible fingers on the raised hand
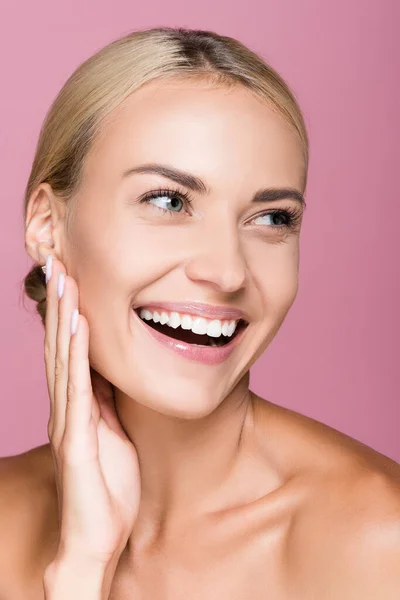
[{"x": 68, "y": 290}]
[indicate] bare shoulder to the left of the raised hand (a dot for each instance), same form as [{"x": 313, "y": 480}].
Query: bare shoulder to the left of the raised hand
[{"x": 28, "y": 522}]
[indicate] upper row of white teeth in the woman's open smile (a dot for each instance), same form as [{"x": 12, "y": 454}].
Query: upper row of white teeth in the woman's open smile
[{"x": 214, "y": 328}]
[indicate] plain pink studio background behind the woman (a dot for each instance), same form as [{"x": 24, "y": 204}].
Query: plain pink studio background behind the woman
[{"x": 334, "y": 358}]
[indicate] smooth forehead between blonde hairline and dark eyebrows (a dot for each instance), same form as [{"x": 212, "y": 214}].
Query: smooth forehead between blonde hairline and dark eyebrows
[{"x": 209, "y": 130}]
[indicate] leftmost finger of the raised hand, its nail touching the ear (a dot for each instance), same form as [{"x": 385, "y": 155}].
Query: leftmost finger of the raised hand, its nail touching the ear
[{"x": 51, "y": 325}]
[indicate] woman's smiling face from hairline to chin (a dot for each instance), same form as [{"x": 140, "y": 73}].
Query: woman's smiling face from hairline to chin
[{"x": 219, "y": 249}]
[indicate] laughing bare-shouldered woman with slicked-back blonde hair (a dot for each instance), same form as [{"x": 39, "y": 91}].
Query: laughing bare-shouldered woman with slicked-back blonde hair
[{"x": 166, "y": 200}]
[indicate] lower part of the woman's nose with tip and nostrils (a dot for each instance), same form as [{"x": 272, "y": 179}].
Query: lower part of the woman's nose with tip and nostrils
[{"x": 217, "y": 259}]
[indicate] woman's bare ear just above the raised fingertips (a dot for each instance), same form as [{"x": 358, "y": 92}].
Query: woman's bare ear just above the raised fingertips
[{"x": 44, "y": 224}]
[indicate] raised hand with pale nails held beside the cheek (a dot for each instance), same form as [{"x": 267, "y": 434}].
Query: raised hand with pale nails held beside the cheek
[{"x": 96, "y": 465}]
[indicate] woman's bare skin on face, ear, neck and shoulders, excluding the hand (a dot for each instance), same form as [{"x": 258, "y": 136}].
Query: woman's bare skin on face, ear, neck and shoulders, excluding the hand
[{"x": 240, "y": 498}]
